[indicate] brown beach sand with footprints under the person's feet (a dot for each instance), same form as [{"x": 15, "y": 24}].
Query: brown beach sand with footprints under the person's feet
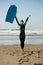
[{"x": 13, "y": 55}]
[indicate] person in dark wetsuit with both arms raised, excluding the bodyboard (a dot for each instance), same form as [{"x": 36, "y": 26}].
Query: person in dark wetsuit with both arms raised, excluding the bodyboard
[{"x": 22, "y": 31}]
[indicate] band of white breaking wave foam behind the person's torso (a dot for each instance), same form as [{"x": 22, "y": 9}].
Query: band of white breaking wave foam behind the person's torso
[{"x": 15, "y": 32}]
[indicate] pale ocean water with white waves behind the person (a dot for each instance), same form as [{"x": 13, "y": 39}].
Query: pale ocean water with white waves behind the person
[{"x": 12, "y": 37}]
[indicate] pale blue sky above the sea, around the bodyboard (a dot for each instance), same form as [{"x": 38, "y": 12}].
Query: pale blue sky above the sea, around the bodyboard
[{"x": 24, "y": 9}]
